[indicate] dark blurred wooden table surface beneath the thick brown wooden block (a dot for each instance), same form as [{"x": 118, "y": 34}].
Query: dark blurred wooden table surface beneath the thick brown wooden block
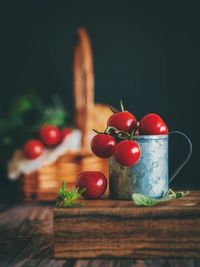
[{"x": 26, "y": 239}]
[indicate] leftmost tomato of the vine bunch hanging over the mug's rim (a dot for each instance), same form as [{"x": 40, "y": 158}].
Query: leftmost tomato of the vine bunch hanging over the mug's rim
[{"x": 103, "y": 145}]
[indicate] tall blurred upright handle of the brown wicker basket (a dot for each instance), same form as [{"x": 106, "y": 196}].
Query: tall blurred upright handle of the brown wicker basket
[{"x": 83, "y": 84}]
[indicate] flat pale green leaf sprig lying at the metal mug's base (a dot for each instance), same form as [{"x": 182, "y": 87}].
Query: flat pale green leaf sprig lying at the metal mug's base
[{"x": 142, "y": 200}]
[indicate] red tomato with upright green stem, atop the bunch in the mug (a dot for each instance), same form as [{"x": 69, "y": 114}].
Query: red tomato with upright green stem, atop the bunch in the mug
[{"x": 123, "y": 121}]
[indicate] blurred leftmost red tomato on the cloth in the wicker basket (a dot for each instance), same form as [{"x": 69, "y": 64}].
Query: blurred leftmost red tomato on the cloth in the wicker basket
[{"x": 33, "y": 149}]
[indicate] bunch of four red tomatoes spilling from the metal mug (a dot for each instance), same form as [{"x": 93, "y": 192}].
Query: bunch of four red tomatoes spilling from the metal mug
[{"x": 118, "y": 138}]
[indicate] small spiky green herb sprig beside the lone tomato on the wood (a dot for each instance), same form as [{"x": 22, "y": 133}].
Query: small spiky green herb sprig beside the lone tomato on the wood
[{"x": 68, "y": 199}]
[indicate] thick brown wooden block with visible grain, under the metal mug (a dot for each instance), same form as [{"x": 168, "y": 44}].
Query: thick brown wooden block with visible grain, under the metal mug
[{"x": 109, "y": 228}]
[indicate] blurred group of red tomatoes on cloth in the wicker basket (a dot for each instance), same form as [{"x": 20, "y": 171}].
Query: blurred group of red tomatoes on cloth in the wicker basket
[{"x": 49, "y": 135}]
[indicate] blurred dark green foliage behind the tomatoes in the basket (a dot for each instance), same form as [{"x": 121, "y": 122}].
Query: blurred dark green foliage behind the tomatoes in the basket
[{"x": 26, "y": 114}]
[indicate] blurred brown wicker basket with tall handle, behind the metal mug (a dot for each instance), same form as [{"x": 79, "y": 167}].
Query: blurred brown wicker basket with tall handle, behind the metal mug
[{"x": 43, "y": 184}]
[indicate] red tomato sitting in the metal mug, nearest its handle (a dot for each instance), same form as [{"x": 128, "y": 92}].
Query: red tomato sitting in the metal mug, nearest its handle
[{"x": 152, "y": 124}]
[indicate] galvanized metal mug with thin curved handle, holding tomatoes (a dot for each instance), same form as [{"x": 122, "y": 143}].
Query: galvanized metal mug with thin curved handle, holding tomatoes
[{"x": 150, "y": 175}]
